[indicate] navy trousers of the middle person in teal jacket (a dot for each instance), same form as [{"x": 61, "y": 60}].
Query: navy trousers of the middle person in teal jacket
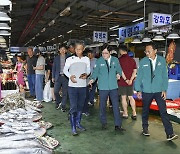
[{"x": 103, "y": 94}]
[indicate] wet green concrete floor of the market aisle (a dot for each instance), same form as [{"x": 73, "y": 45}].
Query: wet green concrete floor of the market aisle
[{"x": 96, "y": 141}]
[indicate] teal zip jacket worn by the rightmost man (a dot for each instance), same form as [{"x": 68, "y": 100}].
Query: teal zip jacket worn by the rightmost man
[{"x": 159, "y": 83}]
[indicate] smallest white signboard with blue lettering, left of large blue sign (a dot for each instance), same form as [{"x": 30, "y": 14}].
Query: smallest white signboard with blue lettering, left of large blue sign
[{"x": 99, "y": 36}]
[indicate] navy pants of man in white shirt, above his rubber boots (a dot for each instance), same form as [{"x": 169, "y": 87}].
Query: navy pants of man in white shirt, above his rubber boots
[{"x": 77, "y": 96}]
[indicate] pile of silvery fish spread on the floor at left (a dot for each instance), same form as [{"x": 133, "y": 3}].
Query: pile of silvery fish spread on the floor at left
[{"x": 22, "y": 129}]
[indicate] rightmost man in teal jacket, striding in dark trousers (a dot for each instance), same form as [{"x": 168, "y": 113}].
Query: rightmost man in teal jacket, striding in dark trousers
[{"x": 152, "y": 83}]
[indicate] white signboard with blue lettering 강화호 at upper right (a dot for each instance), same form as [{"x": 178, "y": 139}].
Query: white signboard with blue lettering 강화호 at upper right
[{"x": 159, "y": 19}]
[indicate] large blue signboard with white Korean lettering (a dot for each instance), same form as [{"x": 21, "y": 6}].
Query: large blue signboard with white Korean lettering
[{"x": 129, "y": 31}]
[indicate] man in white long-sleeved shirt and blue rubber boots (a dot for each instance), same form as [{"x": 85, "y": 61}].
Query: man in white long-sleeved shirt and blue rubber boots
[{"x": 77, "y": 68}]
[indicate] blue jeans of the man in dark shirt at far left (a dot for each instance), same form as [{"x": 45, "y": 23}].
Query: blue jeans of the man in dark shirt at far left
[{"x": 31, "y": 83}]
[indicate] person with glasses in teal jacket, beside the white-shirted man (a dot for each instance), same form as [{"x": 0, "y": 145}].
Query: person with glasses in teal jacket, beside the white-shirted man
[{"x": 107, "y": 69}]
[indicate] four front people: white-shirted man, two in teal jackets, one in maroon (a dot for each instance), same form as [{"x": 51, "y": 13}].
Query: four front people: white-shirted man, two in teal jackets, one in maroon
[{"x": 151, "y": 82}]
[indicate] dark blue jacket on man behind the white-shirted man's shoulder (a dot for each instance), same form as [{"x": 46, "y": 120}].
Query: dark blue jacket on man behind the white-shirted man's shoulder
[{"x": 56, "y": 67}]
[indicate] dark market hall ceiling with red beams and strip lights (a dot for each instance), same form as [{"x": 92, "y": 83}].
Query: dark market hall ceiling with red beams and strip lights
[{"x": 56, "y": 21}]
